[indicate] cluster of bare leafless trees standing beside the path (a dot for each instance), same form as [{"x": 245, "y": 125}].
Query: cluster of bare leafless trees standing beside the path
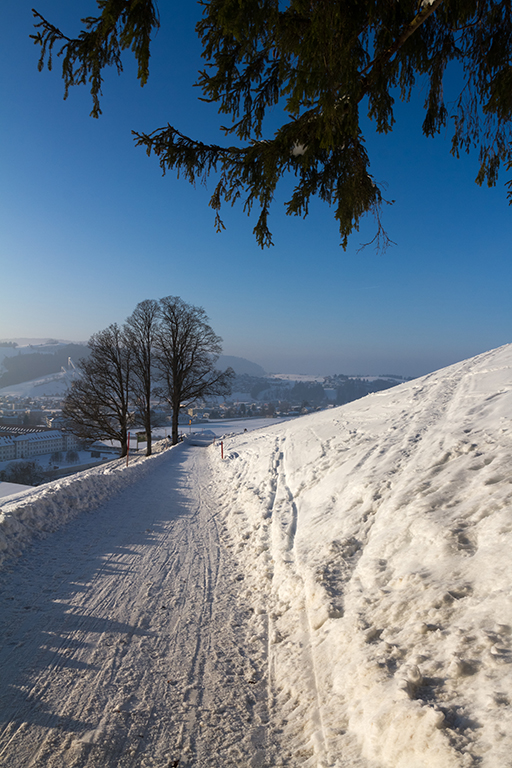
[{"x": 168, "y": 342}]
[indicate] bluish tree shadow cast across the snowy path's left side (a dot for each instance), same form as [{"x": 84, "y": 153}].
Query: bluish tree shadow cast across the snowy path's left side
[{"x": 56, "y": 632}]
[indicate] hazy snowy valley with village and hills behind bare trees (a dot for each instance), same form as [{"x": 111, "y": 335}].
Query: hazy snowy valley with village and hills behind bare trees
[{"x": 37, "y": 446}]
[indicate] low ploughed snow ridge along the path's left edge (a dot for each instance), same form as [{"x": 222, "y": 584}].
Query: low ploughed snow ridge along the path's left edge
[{"x": 45, "y": 508}]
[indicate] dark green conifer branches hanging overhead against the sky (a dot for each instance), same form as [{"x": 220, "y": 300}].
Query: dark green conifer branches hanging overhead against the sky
[{"x": 325, "y": 63}]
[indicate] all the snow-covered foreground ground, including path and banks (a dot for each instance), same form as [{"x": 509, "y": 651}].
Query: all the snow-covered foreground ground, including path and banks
[{"x": 335, "y": 592}]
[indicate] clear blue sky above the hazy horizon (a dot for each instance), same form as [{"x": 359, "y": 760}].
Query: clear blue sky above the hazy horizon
[{"x": 89, "y": 227}]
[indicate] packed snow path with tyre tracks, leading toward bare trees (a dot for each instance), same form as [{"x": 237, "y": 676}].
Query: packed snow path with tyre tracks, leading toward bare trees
[{"x": 126, "y": 644}]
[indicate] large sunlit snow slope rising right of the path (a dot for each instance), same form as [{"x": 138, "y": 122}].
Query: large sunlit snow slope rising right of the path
[{"x": 377, "y": 541}]
